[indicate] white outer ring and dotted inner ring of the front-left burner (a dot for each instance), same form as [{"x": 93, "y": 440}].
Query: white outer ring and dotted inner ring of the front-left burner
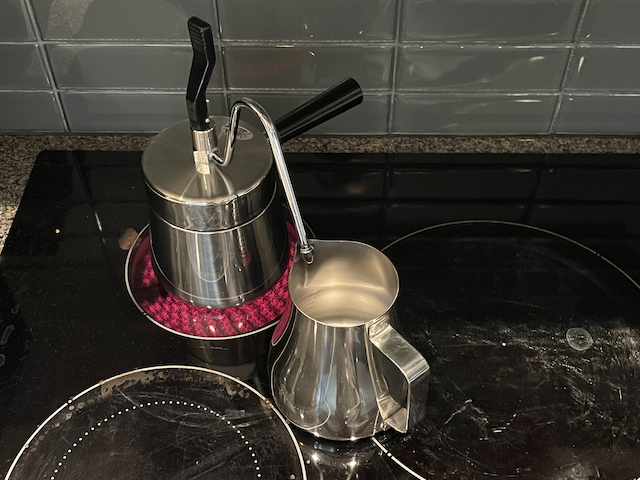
[{"x": 100, "y": 384}]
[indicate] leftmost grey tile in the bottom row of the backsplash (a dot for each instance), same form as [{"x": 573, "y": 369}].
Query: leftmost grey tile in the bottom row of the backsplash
[{"x": 29, "y": 112}]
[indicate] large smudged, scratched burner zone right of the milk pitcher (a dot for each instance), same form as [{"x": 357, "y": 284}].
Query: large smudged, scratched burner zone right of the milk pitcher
[{"x": 511, "y": 395}]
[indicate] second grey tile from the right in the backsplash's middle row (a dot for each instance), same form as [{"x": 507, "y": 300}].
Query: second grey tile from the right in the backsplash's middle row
[{"x": 470, "y": 68}]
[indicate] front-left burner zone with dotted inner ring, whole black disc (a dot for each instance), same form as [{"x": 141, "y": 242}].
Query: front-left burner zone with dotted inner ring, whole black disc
[{"x": 161, "y": 423}]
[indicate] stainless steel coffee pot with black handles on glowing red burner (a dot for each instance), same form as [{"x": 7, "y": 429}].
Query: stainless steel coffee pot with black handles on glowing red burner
[{"x": 218, "y": 232}]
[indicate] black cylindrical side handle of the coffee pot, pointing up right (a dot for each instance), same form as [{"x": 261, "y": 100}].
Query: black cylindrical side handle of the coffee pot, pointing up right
[{"x": 319, "y": 109}]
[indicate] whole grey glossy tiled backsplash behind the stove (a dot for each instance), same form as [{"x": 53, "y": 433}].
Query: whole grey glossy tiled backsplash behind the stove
[{"x": 495, "y": 67}]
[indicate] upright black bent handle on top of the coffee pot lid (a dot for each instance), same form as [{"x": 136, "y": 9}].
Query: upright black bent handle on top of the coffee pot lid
[{"x": 204, "y": 59}]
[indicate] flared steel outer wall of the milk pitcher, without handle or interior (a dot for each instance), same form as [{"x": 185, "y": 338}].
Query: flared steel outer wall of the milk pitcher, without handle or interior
[{"x": 321, "y": 380}]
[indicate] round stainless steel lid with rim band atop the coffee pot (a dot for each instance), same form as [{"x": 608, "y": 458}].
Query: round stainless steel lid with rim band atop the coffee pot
[{"x": 227, "y": 196}]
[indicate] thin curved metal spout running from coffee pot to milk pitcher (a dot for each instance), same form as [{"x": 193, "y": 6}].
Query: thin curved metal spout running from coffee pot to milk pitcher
[{"x": 274, "y": 140}]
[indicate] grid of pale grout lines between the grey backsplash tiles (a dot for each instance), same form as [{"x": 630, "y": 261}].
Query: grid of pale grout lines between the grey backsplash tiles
[{"x": 391, "y": 91}]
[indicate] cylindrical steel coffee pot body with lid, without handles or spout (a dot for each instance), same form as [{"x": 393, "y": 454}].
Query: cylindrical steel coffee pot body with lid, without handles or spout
[{"x": 218, "y": 239}]
